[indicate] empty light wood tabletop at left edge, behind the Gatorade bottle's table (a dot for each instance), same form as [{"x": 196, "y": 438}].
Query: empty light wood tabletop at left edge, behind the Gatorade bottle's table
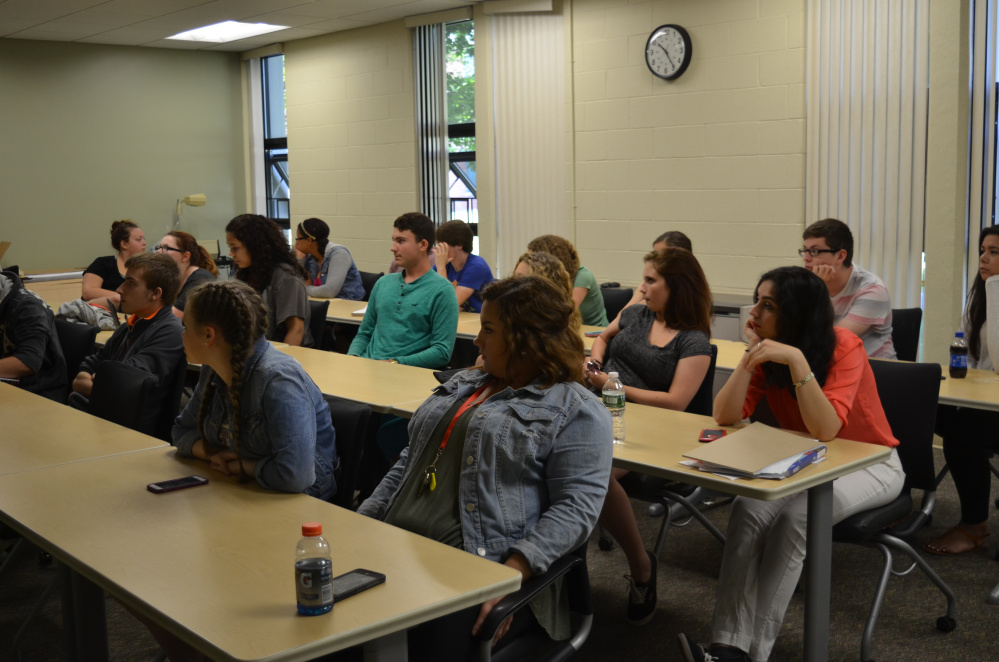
[{"x": 38, "y": 432}]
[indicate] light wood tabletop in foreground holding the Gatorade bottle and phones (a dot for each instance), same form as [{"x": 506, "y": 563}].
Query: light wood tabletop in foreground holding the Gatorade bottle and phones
[{"x": 213, "y": 564}]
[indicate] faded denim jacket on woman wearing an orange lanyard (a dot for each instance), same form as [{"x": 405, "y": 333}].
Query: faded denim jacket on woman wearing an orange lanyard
[{"x": 536, "y": 471}]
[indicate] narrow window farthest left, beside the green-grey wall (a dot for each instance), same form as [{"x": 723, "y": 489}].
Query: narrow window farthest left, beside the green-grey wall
[{"x": 275, "y": 140}]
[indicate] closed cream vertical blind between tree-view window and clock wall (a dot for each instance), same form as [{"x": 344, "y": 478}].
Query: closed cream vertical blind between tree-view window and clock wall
[{"x": 529, "y": 128}]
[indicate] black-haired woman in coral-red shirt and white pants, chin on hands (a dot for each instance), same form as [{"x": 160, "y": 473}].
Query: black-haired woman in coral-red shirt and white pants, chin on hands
[{"x": 817, "y": 380}]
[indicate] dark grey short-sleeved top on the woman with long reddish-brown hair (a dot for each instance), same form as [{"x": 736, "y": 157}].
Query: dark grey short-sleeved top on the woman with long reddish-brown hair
[{"x": 644, "y": 365}]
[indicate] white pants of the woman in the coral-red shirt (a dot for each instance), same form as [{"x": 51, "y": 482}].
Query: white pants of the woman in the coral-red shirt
[{"x": 764, "y": 552}]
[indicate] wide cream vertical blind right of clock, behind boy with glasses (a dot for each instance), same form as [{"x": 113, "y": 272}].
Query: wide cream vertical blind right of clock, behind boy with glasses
[{"x": 868, "y": 70}]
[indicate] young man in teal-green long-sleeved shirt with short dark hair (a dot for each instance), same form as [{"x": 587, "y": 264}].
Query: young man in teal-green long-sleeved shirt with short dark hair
[{"x": 412, "y": 316}]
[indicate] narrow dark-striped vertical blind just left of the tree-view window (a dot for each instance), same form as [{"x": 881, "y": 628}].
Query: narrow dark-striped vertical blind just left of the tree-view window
[{"x": 431, "y": 121}]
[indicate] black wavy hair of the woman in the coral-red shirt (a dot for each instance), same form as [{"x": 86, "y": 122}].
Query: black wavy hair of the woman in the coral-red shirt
[{"x": 804, "y": 320}]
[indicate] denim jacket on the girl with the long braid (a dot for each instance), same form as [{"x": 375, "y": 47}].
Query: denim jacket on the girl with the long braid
[{"x": 285, "y": 424}]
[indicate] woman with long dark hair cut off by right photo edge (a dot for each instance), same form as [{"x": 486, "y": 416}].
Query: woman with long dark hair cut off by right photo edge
[{"x": 969, "y": 435}]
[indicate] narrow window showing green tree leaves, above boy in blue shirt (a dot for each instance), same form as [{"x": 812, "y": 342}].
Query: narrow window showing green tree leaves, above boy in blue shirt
[{"x": 459, "y": 62}]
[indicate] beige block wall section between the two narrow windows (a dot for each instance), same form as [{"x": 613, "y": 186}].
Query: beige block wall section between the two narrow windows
[{"x": 351, "y": 136}]
